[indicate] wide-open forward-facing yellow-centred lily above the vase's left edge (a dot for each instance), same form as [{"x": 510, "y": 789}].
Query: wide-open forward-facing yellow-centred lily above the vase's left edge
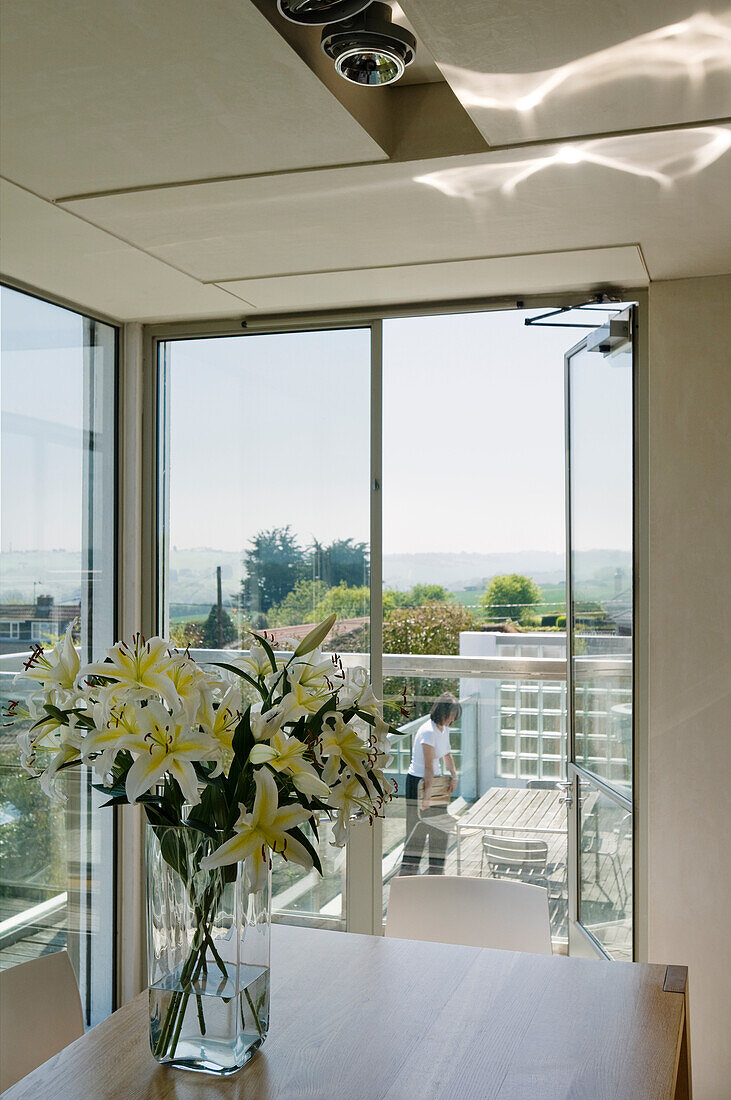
[{"x": 168, "y": 745}]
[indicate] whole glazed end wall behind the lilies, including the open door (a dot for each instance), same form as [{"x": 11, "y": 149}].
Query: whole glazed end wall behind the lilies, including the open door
[{"x": 411, "y": 477}]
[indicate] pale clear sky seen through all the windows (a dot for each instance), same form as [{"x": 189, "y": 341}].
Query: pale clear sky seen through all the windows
[{"x": 269, "y": 431}]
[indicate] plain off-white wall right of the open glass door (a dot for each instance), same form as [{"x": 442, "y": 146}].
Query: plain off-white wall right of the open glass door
[{"x": 690, "y": 664}]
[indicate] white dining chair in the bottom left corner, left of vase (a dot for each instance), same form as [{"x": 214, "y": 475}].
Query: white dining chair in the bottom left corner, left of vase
[{"x": 40, "y": 1015}]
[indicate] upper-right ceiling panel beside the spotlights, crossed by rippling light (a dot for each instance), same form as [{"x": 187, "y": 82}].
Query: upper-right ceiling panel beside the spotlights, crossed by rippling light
[{"x": 529, "y": 70}]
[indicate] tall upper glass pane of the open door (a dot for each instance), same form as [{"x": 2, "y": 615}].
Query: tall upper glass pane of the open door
[{"x": 601, "y": 412}]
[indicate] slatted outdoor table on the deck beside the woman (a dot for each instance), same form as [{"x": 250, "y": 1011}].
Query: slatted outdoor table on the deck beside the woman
[{"x": 516, "y": 811}]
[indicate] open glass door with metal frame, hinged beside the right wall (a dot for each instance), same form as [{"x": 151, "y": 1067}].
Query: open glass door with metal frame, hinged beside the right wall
[{"x": 600, "y": 507}]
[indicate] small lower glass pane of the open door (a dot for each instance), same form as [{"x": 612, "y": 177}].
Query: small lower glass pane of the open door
[{"x": 606, "y": 871}]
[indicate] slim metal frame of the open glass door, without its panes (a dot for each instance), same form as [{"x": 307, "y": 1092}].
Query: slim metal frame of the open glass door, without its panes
[{"x": 581, "y": 941}]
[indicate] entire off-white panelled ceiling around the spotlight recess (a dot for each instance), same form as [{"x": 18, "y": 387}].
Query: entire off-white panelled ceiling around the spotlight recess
[{"x": 240, "y": 182}]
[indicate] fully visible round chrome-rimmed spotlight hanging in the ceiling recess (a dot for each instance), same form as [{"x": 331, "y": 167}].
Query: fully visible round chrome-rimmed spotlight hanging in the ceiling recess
[{"x": 370, "y": 49}]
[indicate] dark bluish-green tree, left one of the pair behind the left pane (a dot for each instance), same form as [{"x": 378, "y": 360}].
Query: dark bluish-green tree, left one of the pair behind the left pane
[{"x": 274, "y": 564}]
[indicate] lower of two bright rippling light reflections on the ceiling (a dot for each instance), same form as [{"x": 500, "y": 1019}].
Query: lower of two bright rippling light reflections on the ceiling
[{"x": 664, "y": 157}]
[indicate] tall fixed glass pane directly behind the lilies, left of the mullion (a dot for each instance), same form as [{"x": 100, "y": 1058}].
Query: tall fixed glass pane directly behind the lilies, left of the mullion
[{"x": 268, "y": 477}]
